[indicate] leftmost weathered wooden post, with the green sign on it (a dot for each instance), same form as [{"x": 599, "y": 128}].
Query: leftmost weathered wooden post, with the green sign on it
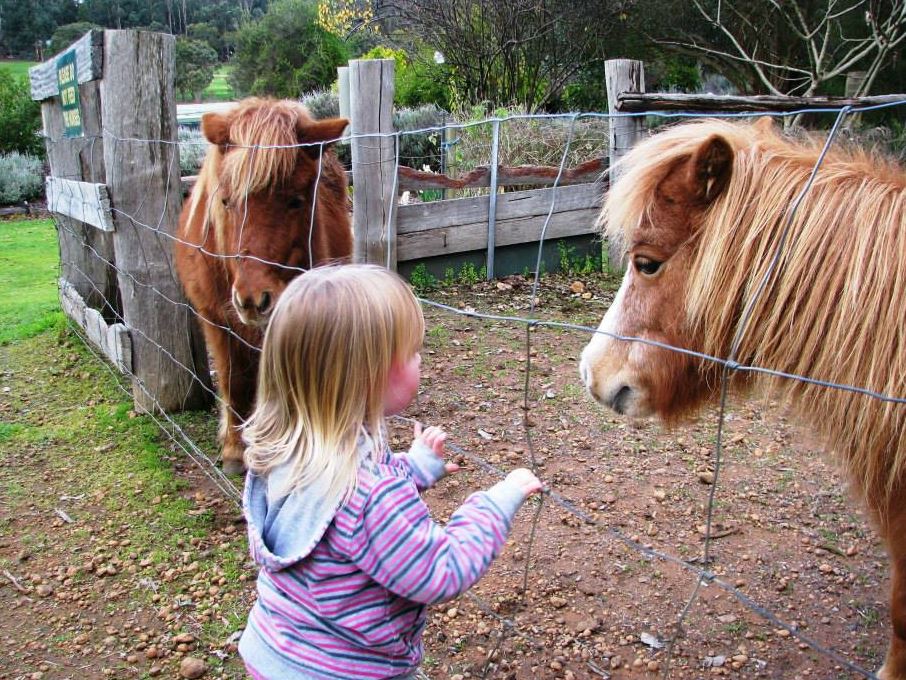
[{"x": 85, "y": 251}]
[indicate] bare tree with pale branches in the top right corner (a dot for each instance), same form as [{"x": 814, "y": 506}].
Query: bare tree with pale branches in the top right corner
[{"x": 794, "y": 47}]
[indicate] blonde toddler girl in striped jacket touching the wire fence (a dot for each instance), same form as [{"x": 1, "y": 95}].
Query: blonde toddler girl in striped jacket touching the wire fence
[{"x": 349, "y": 556}]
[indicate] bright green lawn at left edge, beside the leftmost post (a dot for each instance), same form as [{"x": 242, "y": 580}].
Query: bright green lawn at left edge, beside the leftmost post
[{"x": 29, "y": 263}]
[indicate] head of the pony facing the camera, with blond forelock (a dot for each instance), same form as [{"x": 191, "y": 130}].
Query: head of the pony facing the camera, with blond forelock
[{"x": 262, "y": 179}]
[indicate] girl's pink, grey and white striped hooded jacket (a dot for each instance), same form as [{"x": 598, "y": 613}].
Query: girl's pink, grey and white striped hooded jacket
[{"x": 343, "y": 589}]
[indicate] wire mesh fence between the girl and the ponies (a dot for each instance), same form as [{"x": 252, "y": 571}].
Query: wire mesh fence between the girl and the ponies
[{"x": 509, "y": 627}]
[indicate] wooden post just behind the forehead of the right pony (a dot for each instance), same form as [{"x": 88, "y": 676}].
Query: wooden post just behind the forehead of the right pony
[{"x": 622, "y": 75}]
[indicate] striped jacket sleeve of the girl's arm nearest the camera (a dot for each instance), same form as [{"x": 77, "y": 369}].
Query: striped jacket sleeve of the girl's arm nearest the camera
[{"x": 398, "y": 544}]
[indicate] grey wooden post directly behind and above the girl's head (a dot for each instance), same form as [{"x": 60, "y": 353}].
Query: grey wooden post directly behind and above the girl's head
[{"x": 374, "y": 163}]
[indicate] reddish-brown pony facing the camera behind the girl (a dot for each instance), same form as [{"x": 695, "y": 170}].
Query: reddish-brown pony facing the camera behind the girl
[{"x": 262, "y": 210}]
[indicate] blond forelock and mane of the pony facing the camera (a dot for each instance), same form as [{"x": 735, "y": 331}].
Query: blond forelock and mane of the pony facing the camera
[{"x": 262, "y": 154}]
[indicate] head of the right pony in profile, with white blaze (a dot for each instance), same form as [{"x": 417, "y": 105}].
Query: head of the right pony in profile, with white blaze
[{"x": 668, "y": 186}]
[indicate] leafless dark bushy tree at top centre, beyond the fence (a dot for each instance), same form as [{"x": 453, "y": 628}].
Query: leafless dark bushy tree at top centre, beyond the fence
[{"x": 508, "y": 51}]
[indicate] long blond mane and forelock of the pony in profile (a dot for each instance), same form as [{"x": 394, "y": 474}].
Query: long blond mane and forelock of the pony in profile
[{"x": 832, "y": 309}]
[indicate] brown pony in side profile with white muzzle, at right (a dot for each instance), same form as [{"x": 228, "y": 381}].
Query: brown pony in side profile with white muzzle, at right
[{"x": 700, "y": 209}]
